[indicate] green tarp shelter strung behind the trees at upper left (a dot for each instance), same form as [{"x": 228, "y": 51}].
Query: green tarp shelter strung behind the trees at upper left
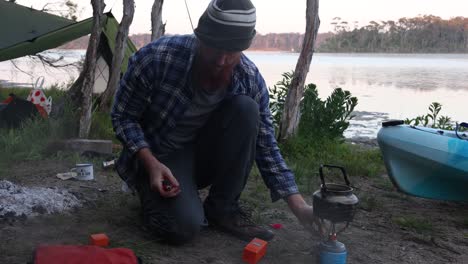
[{"x": 59, "y": 32}]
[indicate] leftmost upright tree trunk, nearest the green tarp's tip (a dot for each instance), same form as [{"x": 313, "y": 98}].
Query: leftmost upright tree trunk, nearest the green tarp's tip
[{"x": 89, "y": 69}]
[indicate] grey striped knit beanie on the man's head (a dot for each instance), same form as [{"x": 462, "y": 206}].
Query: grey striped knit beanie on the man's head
[{"x": 227, "y": 25}]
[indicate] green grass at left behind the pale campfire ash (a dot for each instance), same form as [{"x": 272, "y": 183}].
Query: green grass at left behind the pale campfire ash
[{"x": 30, "y": 140}]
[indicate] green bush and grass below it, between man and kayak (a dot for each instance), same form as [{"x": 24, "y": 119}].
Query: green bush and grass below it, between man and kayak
[{"x": 319, "y": 139}]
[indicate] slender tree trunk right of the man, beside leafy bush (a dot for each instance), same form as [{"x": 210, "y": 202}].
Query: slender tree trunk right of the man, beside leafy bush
[{"x": 291, "y": 114}]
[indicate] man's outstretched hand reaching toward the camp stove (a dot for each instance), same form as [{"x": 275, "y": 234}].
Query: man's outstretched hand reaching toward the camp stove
[{"x": 303, "y": 211}]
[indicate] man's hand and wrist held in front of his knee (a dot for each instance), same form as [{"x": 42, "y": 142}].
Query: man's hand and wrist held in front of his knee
[{"x": 161, "y": 179}]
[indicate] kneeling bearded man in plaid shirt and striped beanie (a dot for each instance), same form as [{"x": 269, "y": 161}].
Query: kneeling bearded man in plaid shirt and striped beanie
[{"x": 191, "y": 112}]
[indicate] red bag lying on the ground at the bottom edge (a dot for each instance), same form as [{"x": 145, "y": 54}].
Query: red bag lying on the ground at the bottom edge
[{"x": 83, "y": 255}]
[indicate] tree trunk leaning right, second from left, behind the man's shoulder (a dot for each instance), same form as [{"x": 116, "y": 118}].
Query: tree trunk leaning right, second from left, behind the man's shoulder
[{"x": 119, "y": 50}]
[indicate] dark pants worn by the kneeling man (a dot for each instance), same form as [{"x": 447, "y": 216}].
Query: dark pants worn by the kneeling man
[{"x": 222, "y": 157}]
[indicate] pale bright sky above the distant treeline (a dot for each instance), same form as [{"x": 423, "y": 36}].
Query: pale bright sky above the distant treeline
[{"x": 276, "y": 16}]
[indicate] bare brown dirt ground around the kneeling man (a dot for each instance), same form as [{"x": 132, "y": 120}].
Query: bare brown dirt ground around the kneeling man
[{"x": 379, "y": 234}]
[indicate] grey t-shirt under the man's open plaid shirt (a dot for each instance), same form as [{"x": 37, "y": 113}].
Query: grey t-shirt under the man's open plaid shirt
[{"x": 195, "y": 117}]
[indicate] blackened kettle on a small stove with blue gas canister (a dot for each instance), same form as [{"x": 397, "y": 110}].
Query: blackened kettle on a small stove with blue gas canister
[{"x": 334, "y": 205}]
